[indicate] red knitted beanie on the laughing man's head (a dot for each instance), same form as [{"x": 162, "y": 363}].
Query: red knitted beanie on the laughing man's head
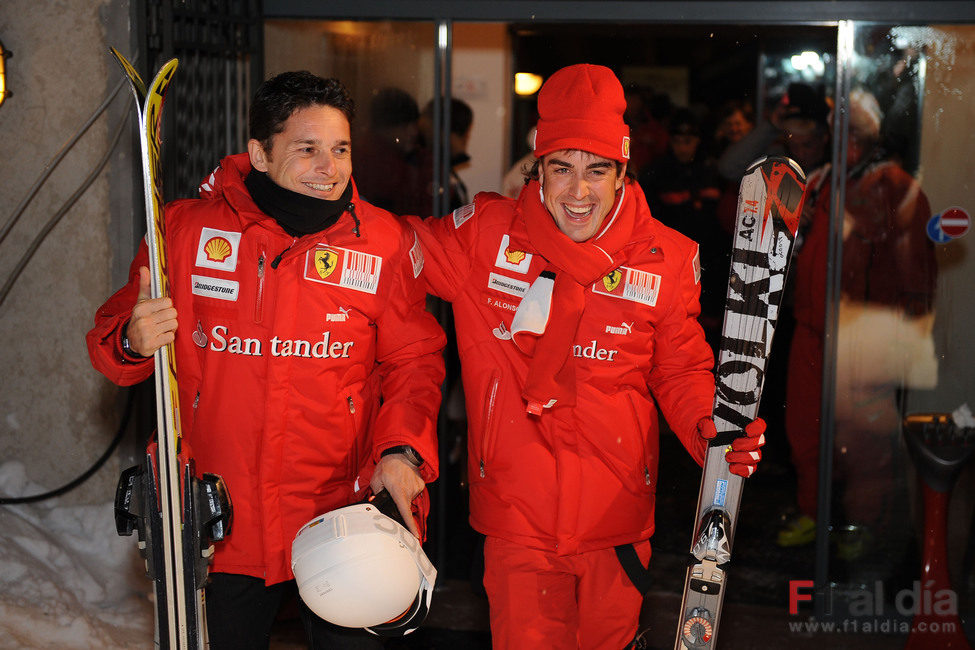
[{"x": 581, "y": 107}]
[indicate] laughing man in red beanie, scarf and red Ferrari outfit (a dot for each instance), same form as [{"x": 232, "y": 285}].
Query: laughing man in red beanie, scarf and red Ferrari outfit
[{"x": 576, "y": 314}]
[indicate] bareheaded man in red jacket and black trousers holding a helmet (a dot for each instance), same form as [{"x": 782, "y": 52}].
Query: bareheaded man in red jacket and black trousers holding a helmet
[{"x": 308, "y": 367}]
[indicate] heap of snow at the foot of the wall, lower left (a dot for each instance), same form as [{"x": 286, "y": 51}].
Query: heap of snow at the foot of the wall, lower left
[{"x": 67, "y": 580}]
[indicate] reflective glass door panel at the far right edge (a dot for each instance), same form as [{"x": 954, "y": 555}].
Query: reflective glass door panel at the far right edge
[{"x": 900, "y": 490}]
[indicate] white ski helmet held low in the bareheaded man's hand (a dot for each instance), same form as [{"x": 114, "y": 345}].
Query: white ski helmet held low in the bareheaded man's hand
[{"x": 357, "y": 567}]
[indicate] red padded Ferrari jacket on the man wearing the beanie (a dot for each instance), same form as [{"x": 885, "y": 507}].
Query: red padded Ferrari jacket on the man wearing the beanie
[{"x": 583, "y": 477}]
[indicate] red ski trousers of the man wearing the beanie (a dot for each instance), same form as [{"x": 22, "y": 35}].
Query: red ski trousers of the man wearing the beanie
[{"x": 542, "y": 600}]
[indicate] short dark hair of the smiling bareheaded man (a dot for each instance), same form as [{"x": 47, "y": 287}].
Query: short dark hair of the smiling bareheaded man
[{"x": 279, "y": 97}]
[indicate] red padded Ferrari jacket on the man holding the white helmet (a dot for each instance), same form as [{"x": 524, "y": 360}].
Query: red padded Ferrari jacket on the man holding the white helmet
[{"x": 299, "y": 360}]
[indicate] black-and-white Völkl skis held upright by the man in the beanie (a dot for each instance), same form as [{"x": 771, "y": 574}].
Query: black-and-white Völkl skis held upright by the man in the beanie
[{"x": 769, "y": 206}]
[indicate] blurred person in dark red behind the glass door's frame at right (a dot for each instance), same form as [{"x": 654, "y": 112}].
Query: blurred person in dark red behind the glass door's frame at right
[{"x": 888, "y": 282}]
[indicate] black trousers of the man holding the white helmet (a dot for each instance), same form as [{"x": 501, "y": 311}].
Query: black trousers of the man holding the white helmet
[{"x": 241, "y": 612}]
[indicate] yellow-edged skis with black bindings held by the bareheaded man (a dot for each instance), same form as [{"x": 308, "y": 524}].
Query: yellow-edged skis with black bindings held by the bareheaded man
[{"x": 175, "y": 512}]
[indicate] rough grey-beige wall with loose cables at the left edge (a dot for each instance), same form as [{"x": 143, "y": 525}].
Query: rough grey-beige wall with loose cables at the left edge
[{"x": 58, "y": 415}]
